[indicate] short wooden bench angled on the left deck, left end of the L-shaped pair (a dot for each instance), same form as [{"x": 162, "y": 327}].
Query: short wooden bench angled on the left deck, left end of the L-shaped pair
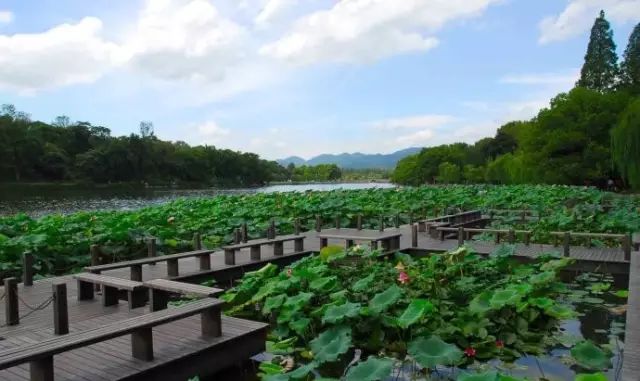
[{"x": 136, "y": 292}]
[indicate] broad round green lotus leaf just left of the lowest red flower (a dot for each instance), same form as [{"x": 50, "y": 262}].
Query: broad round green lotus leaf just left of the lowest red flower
[{"x": 432, "y": 351}]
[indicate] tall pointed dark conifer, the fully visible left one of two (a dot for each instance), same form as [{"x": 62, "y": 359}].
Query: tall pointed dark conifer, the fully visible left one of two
[{"x": 600, "y": 68}]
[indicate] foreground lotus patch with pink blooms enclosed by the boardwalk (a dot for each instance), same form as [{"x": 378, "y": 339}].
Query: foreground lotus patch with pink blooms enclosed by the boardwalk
[{"x": 453, "y": 316}]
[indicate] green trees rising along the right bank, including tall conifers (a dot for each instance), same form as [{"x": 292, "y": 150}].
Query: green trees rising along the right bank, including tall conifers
[{"x": 588, "y": 136}]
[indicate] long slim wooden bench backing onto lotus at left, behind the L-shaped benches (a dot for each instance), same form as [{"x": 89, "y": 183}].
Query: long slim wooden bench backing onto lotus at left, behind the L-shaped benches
[{"x": 135, "y": 265}]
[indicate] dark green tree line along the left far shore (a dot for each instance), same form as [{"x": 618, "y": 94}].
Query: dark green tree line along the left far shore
[{"x": 65, "y": 151}]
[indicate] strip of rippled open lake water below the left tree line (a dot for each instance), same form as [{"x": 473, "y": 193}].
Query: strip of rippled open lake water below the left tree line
[{"x": 38, "y": 200}]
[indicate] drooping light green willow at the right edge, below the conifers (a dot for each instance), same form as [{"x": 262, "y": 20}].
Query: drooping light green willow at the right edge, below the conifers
[{"x": 625, "y": 144}]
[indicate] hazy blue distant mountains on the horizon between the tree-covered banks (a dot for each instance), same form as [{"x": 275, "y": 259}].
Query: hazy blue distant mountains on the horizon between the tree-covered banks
[{"x": 354, "y": 160}]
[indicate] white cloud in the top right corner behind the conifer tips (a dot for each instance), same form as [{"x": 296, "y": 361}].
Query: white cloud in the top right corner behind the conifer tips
[{"x": 578, "y": 17}]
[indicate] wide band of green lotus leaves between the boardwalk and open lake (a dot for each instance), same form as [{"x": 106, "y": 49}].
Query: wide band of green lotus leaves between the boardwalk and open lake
[{"x": 61, "y": 243}]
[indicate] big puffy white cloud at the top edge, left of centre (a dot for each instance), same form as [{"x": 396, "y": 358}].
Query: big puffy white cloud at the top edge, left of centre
[{"x": 185, "y": 40}]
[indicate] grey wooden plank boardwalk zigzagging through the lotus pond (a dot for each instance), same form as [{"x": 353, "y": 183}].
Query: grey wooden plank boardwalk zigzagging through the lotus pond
[{"x": 181, "y": 340}]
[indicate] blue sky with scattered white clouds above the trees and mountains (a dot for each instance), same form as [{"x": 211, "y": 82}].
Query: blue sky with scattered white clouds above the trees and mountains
[{"x": 298, "y": 77}]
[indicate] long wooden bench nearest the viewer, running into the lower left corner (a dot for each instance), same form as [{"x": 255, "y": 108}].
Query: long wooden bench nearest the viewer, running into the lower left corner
[{"x": 40, "y": 355}]
